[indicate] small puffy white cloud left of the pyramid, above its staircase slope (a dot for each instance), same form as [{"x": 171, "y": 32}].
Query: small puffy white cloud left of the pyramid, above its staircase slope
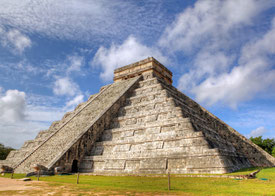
[{"x": 65, "y": 86}]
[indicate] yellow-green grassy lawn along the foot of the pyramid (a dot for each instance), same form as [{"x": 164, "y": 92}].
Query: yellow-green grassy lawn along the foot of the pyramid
[{"x": 130, "y": 185}]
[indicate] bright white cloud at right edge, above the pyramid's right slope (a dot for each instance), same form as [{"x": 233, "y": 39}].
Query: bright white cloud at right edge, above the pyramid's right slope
[{"x": 254, "y": 74}]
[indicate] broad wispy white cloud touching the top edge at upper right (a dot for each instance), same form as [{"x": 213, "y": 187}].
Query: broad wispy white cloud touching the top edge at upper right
[{"x": 209, "y": 22}]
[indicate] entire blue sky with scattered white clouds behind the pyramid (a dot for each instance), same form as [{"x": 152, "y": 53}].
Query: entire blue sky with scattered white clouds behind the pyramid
[{"x": 55, "y": 54}]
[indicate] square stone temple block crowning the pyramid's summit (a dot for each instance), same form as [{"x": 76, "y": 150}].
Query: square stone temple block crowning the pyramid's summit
[{"x": 149, "y": 65}]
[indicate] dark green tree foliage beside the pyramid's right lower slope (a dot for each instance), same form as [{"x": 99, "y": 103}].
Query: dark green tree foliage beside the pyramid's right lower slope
[{"x": 266, "y": 144}]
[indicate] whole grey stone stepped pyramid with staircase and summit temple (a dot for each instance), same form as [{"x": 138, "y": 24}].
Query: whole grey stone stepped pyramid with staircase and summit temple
[{"x": 140, "y": 124}]
